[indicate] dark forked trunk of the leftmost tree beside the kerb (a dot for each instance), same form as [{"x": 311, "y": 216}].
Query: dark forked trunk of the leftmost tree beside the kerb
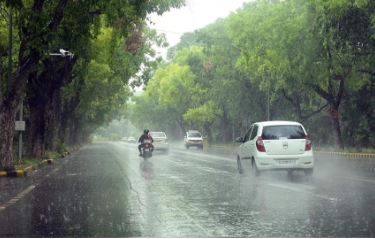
[{"x": 28, "y": 58}]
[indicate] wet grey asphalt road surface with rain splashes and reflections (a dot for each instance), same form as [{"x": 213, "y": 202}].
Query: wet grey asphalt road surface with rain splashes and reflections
[{"x": 106, "y": 190}]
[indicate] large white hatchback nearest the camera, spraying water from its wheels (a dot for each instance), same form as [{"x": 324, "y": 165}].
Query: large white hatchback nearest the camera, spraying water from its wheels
[{"x": 276, "y": 145}]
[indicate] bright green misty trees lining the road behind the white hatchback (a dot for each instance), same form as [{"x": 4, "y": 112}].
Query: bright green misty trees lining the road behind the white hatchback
[{"x": 311, "y": 61}]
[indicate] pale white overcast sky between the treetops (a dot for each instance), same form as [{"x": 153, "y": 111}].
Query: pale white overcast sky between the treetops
[{"x": 194, "y": 15}]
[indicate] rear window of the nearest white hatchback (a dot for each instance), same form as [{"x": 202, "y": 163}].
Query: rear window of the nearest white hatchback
[{"x": 283, "y": 131}]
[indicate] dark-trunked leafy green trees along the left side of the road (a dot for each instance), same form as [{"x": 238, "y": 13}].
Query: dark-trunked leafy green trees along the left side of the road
[{"x": 65, "y": 97}]
